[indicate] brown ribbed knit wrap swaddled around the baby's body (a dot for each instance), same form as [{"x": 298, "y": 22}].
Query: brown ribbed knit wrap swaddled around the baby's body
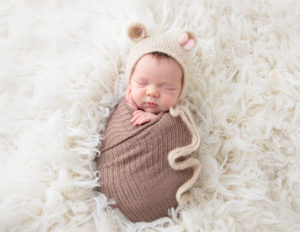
[{"x": 134, "y": 163}]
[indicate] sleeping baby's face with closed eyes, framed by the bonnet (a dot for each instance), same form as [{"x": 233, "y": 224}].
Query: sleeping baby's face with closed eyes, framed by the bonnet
[{"x": 156, "y": 83}]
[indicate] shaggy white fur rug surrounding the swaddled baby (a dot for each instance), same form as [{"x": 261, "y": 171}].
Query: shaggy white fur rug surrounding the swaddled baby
[{"x": 62, "y": 72}]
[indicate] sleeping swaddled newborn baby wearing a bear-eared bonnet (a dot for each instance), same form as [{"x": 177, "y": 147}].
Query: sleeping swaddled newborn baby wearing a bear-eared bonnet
[{"x": 146, "y": 161}]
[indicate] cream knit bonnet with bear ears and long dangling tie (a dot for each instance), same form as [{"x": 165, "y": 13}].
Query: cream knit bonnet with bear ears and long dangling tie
[{"x": 178, "y": 48}]
